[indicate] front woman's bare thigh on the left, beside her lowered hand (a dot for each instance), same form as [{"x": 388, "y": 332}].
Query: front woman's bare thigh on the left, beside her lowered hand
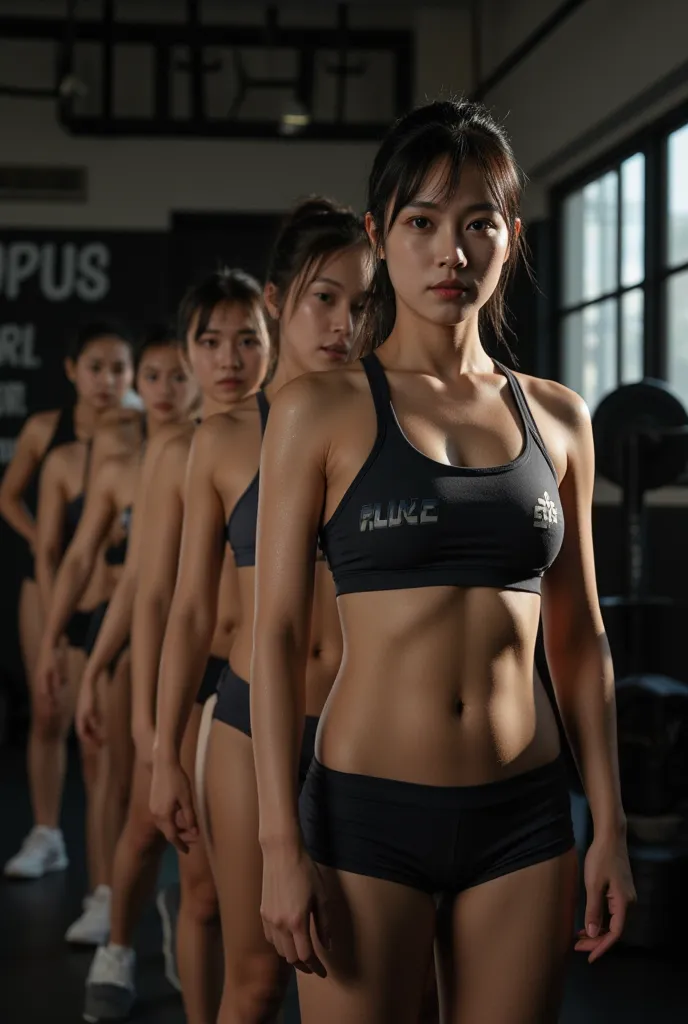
[{"x": 382, "y": 948}]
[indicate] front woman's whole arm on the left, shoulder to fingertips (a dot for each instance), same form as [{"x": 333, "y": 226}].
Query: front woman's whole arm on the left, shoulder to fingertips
[{"x": 292, "y": 497}]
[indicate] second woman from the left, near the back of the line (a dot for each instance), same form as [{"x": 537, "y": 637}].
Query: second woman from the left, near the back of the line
[{"x": 167, "y": 394}]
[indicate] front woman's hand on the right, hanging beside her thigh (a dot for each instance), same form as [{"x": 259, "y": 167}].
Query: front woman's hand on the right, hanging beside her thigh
[{"x": 608, "y": 877}]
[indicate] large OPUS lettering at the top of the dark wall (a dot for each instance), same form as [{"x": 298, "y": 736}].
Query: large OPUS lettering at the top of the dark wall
[{"x": 64, "y": 270}]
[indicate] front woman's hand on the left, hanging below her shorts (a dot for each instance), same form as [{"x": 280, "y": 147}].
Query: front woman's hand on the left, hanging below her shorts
[{"x": 293, "y": 894}]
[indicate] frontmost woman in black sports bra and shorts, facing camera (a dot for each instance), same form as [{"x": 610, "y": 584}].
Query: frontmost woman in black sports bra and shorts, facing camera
[{"x": 453, "y": 501}]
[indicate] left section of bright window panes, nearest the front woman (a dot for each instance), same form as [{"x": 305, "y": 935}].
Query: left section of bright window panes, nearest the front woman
[{"x": 604, "y": 276}]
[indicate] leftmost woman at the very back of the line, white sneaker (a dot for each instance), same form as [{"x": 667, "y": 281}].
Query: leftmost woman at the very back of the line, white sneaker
[{"x": 100, "y": 365}]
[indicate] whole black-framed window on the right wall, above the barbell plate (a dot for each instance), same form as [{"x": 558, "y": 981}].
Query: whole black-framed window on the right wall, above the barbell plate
[{"x": 623, "y": 283}]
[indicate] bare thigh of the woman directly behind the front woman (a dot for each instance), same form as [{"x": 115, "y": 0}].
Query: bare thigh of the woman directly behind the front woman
[{"x": 233, "y": 813}]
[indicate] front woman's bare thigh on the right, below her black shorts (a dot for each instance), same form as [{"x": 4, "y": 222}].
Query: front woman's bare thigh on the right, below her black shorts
[{"x": 519, "y": 929}]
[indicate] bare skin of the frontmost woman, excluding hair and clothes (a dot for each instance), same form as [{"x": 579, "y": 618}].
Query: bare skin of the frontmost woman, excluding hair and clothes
[{"x": 437, "y": 685}]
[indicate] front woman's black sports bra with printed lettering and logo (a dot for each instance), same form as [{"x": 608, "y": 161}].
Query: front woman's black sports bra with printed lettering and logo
[{"x": 410, "y": 522}]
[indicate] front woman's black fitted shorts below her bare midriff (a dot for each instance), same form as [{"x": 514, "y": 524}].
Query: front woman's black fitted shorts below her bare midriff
[{"x": 440, "y": 840}]
